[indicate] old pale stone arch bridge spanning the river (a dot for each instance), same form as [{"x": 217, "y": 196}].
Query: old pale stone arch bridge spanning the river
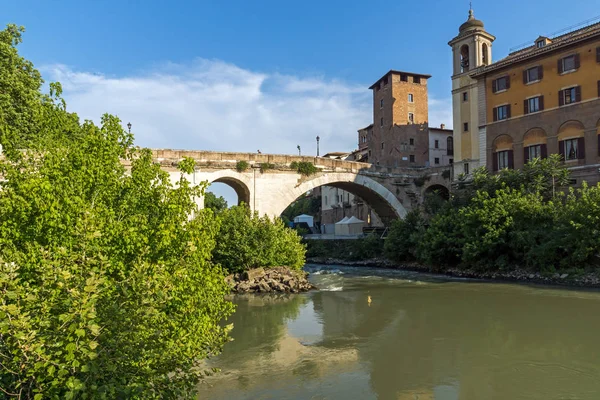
[{"x": 269, "y": 184}]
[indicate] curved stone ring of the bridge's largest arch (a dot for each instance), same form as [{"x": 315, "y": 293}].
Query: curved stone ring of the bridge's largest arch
[{"x": 379, "y": 198}]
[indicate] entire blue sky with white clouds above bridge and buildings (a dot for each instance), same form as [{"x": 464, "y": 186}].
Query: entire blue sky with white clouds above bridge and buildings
[{"x": 241, "y": 75}]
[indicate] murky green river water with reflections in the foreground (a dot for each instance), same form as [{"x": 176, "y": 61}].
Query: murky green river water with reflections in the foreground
[{"x": 420, "y": 338}]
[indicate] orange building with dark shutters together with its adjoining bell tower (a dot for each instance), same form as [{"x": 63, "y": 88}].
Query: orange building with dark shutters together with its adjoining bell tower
[{"x": 539, "y": 100}]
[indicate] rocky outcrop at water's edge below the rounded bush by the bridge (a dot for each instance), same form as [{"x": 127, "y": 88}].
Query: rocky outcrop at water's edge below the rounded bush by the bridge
[{"x": 271, "y": 280}]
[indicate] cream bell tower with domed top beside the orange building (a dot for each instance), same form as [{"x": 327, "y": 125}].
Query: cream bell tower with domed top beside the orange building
[{"x": 471, "y": 49}]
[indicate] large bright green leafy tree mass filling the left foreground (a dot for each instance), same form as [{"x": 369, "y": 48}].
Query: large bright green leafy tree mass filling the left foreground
[{"x": 106, "y": 285}]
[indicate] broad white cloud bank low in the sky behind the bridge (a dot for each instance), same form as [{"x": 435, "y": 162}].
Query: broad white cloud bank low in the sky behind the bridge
[{"x": 214, "y": 105}]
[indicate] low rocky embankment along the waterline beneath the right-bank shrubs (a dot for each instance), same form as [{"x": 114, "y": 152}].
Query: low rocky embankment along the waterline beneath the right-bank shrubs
[{"x": 514, "y": 275}]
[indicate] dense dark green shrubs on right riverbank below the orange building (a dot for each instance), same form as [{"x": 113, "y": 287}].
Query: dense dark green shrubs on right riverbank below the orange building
[{"x": 512, "y": 219}]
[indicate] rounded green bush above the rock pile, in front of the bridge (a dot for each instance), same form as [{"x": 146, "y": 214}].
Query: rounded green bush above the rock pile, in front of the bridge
[{"x": 246, "y": 241}]
